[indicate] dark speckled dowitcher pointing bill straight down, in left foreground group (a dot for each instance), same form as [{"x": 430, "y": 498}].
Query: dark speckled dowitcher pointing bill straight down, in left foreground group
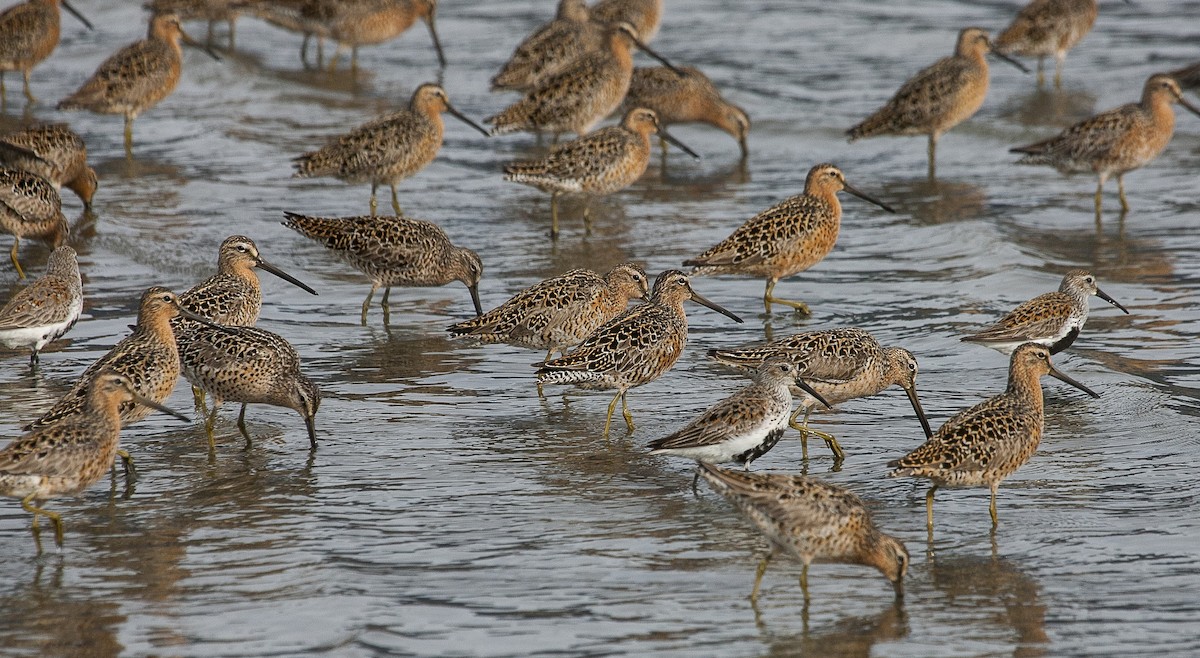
[{"x": 253, "y": 367}]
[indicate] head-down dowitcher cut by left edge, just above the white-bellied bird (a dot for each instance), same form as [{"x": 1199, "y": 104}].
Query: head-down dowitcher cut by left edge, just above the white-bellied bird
[{"x": 31, "y": 207}]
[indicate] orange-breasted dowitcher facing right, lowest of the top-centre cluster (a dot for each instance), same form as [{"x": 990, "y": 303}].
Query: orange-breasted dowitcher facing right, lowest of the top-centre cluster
[{"x": 602, "y": 163}]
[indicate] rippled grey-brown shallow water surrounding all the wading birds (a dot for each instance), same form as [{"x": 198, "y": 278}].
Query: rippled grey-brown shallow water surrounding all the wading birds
[{"x": 449, "y": 511}]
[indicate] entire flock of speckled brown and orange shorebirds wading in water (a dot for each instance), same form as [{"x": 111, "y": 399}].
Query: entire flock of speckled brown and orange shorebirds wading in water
[{"x": 573, "y": 73}]
